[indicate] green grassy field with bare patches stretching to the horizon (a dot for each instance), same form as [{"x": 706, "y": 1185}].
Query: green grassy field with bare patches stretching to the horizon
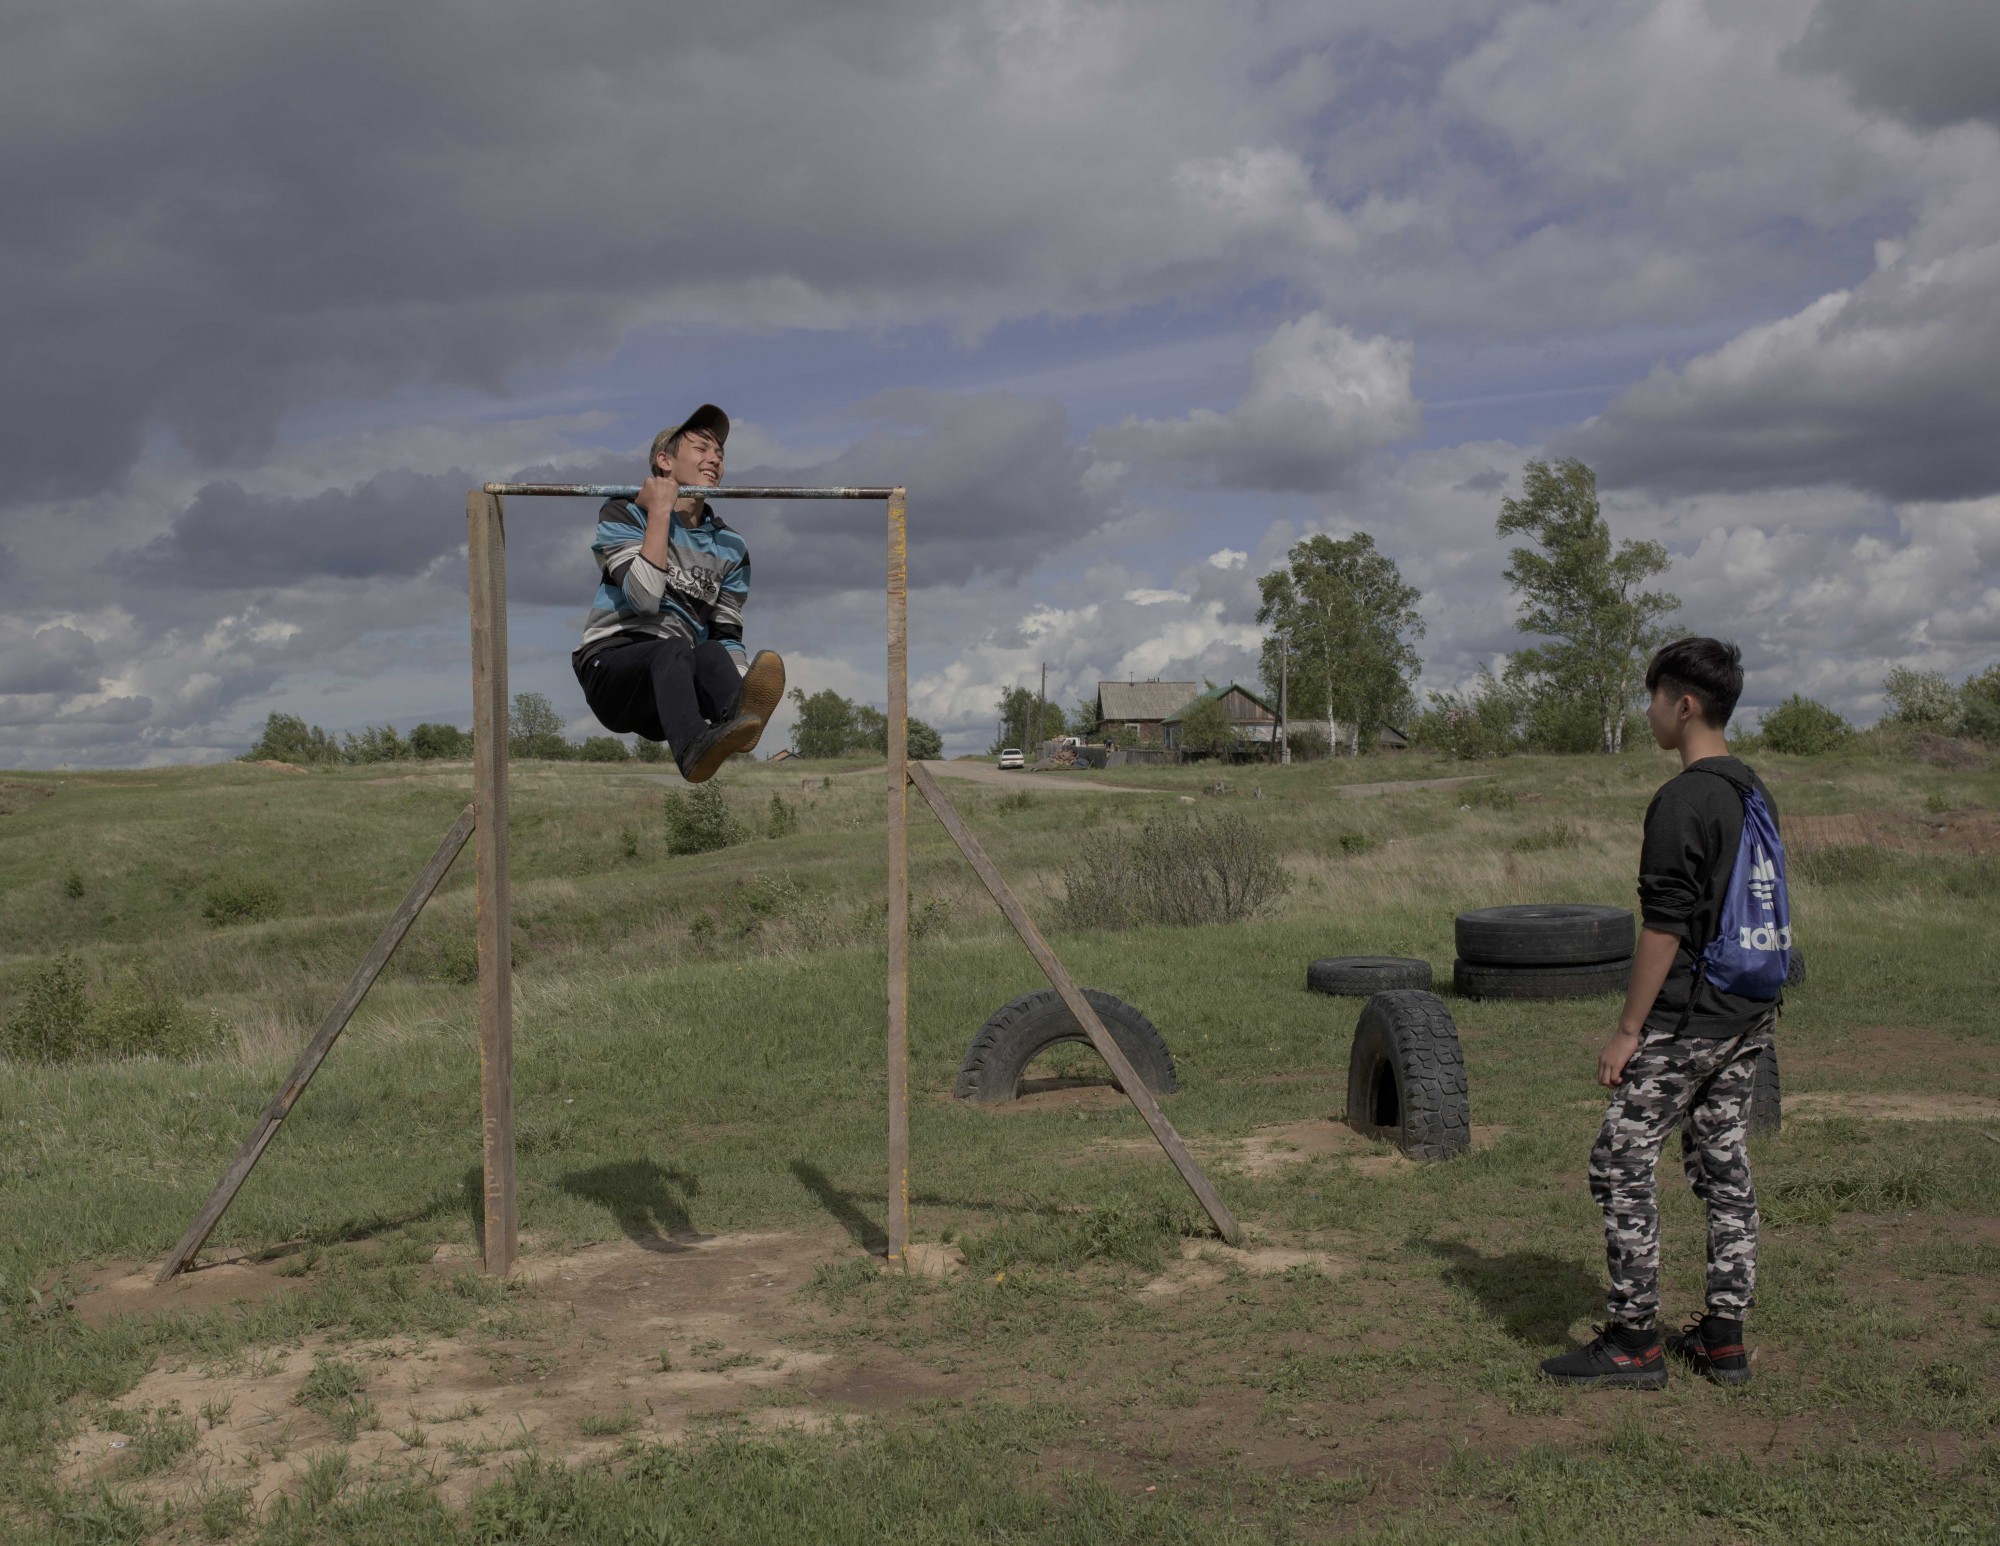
[{"x": 701, "y": 1345}]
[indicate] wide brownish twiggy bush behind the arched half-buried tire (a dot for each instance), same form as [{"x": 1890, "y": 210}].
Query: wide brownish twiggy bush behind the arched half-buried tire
[{"x": 1195, "y": 869}]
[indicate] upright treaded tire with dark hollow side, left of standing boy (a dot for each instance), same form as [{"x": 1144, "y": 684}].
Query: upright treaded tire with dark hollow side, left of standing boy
[{"x": 1407, "y": 1077}]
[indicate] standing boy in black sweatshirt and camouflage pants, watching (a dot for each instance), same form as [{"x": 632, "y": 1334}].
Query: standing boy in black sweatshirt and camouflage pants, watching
[{"x": 1685, "y": 1053}]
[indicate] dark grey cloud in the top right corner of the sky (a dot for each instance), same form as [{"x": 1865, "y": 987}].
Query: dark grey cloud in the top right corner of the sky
[{"x": 1931, "y": 63}]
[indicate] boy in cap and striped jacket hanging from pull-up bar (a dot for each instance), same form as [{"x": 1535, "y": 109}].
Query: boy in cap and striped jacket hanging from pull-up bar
[{"x": 663, "y": 651}]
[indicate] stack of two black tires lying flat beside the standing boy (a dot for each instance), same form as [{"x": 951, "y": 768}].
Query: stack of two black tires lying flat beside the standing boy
[{"x": 1543, "y": 951}]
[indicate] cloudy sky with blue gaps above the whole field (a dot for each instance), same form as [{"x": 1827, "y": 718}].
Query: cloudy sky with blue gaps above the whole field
[{"x": 1129, "y": 293}]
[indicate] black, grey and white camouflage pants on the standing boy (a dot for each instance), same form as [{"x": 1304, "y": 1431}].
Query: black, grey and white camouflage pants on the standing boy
[{"x": 1701, "y": 1087}]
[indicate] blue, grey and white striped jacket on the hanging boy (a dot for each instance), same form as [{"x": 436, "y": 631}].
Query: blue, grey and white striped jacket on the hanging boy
[{"x": 697, "y": 597}]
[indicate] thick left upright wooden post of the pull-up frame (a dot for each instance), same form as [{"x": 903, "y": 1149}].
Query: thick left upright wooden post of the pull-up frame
[{"x": 487, "y": 557}]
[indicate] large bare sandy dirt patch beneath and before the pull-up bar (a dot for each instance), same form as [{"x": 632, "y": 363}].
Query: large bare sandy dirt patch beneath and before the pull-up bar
[{"x": 611, "y": 1345}]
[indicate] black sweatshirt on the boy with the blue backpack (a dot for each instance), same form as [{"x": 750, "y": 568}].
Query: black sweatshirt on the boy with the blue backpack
[{"x": 1693, "y": 829}]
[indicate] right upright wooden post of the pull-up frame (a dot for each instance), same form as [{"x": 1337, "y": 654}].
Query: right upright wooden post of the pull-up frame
[{"x": 899, "y": 883}]
